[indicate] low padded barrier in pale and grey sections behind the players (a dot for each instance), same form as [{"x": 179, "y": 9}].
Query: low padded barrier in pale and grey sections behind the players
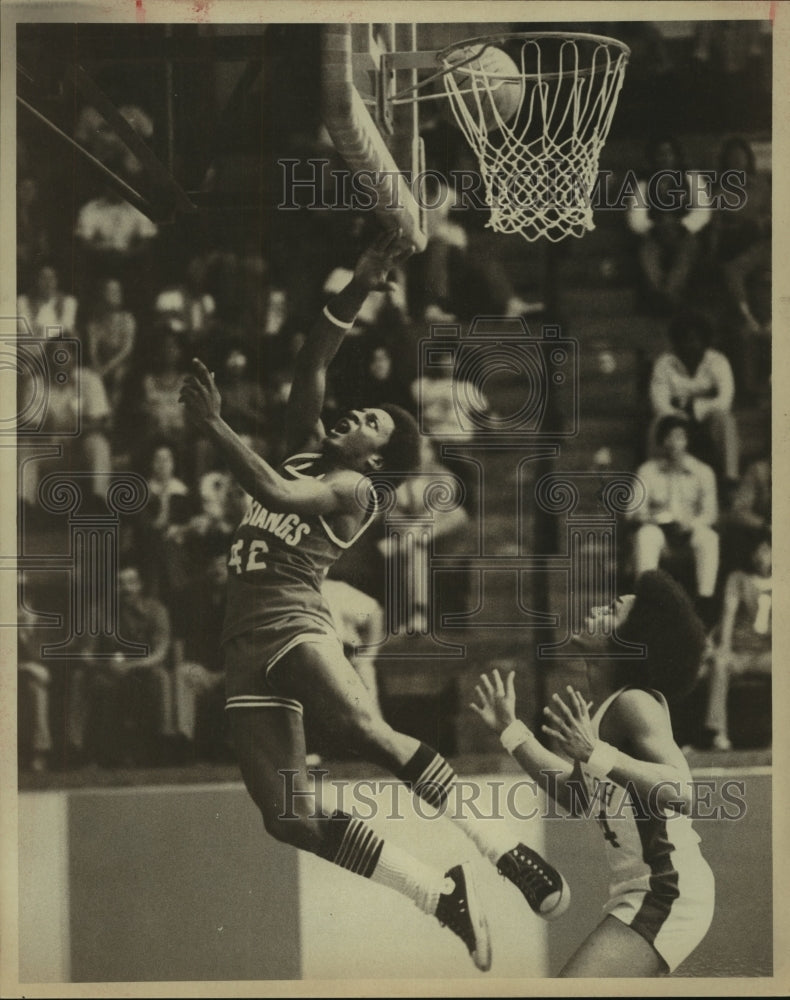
[{"x": 180, "y": 883}]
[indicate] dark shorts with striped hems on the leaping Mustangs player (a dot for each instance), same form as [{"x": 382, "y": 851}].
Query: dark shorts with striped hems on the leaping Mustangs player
[{"x": 250, "y": 657}]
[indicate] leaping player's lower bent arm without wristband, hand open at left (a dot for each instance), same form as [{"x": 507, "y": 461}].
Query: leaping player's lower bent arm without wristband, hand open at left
[{"x": 337, "y": 496}]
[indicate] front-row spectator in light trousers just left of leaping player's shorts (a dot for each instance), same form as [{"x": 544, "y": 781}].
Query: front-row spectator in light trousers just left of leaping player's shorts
[{"x": 197, "y": 613}]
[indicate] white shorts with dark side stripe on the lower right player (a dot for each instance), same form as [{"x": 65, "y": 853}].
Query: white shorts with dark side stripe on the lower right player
[{"x": 674, "y": 914}]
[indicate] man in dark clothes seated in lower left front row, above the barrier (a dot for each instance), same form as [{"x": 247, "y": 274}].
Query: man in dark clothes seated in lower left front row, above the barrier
[{"x": 132, "y": 695}]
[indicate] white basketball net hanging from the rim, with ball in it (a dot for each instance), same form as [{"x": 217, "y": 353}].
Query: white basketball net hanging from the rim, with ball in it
[{"x": 539, "y": 162}]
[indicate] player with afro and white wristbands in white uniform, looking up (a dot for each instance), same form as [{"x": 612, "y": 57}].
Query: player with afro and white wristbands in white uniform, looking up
[{"x": 624, "y": 767}]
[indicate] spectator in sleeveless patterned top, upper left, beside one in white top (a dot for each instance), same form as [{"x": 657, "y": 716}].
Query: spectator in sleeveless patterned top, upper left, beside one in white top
[{"x": 111, "y": 334}]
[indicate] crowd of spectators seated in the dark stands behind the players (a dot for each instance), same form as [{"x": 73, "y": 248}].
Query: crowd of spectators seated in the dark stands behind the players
[{"x": 138, "y": 316}]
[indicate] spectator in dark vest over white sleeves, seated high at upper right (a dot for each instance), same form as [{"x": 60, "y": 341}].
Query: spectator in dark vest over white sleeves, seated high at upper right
[{"x": 669, "y": 209}]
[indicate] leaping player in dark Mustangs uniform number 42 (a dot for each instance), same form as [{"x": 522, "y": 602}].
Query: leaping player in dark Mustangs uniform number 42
[{"x": 282, "y": 653}]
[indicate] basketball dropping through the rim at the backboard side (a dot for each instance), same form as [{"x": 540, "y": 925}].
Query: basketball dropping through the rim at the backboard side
[{"x": 490, "y": 85}]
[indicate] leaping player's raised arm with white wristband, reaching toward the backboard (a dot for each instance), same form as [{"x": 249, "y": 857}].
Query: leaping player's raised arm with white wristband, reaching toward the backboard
[{"x": 304, "y": 429}]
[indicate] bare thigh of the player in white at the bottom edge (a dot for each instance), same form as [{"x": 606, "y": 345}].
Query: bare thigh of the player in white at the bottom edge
[{"x": 614, "y": 950}]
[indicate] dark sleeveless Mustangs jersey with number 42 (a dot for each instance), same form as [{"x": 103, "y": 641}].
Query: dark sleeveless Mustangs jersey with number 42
[{"x": 278, "y": 560}]
